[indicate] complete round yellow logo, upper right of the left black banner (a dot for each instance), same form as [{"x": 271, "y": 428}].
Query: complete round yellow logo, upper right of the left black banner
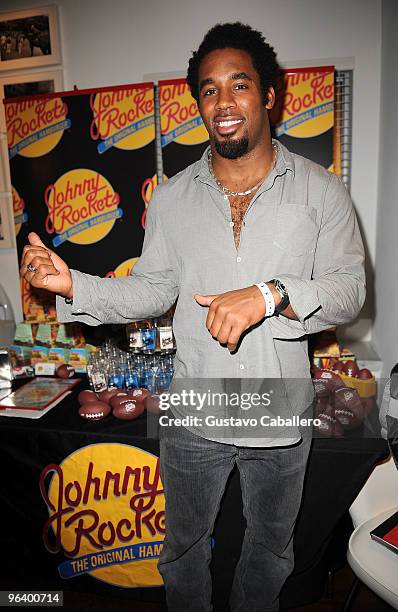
[{"x": 123, "y": 118}]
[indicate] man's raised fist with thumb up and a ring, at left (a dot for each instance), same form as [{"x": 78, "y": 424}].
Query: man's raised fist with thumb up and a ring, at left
[{"x": 44, "y": 269}]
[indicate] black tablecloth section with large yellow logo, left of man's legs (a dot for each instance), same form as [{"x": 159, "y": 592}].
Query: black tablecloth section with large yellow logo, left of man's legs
[{"x": 91, "y": 505}]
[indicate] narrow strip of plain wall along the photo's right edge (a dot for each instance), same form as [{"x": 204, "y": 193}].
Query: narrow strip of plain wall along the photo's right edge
[{"x": 386, "y": 327}]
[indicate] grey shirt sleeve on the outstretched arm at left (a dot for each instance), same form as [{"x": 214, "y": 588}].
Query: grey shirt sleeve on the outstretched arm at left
[{"x": 149, "y": 291}]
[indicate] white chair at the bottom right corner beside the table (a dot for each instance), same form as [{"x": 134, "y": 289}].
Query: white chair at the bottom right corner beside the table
[{"x": 373, "y": 563}]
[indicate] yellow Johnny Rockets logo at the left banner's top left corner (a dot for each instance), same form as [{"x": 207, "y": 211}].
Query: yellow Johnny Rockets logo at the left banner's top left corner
[{"x": 35, "y": 127}]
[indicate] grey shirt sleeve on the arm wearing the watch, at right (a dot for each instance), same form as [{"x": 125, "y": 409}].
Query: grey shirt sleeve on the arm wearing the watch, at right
[{"x": 336, "y": 291}]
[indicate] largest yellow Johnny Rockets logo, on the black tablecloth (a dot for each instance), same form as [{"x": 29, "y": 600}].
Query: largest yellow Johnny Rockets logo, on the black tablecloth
[{"x": 106, "y": 512}]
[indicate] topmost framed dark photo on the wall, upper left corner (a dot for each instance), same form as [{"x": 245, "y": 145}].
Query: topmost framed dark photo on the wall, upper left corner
[{"x": 29, "y": 38}]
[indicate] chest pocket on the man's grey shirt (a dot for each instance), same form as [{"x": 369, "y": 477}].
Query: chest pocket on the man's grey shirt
[{"x": 296, "y": 231}]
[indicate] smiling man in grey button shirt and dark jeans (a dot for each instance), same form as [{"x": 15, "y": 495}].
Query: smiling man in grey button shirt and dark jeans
[{"x": 261, "y": 247}]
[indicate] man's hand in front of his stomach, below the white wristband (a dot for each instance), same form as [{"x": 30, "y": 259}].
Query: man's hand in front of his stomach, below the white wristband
[{"x": 232, "y": 313}]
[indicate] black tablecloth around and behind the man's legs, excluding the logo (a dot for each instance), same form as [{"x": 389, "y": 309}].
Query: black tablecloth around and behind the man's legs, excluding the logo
[{"x": 337, "y": 470}]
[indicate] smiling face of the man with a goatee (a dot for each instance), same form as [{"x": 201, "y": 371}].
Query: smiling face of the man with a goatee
[{"x": 230, "y": 102}]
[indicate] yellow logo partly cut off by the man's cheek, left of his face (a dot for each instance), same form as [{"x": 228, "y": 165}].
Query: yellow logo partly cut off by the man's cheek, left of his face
[{"x": 180, "y": 120}]
